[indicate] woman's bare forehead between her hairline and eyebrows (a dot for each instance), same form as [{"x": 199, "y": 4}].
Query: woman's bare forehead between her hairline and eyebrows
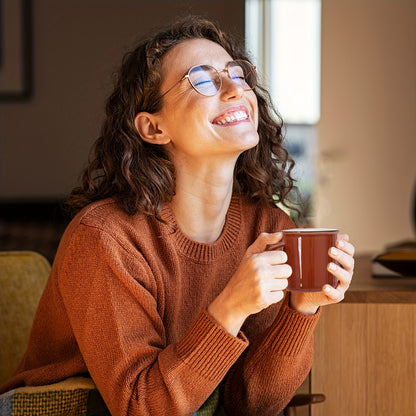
[{"x": 193, "y": 52}]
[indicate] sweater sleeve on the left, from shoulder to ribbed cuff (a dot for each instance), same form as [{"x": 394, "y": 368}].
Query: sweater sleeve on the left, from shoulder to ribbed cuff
[{"x": 111, "y": 301}]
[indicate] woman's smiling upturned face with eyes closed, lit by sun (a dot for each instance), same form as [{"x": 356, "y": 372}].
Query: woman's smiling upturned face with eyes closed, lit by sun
[{"x": 198, "y": 127}]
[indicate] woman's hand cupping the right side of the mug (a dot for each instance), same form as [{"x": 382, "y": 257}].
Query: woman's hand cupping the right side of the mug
[{"x": 309, "y": 302}]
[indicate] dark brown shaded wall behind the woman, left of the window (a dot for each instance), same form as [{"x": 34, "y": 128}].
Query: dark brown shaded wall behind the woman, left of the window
[{"x": 44, "y": 142}]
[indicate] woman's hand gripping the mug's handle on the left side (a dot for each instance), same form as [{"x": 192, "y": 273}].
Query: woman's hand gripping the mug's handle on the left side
[{"x": 258, "y": 283}]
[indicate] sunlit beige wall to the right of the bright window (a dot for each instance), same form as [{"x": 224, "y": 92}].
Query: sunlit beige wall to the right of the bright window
[{"x": 367, "y": 132}]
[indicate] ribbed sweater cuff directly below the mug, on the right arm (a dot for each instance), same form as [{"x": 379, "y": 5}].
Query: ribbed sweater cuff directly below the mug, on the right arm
[{"x": 291, "y": 330}]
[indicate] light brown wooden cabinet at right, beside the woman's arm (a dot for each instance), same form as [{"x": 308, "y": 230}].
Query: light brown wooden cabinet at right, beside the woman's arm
[{"x": 365, "y": 349}]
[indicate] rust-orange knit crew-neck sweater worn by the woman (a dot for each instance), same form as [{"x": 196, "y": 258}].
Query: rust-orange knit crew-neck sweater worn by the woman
[{"x": 126, "y": 302}]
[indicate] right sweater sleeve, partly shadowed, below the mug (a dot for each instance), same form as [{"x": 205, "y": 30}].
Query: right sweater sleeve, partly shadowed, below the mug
[{"x": 267, "y": 375}]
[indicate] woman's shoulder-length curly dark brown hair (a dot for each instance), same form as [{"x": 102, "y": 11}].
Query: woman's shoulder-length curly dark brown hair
[{"x": 140, "y": 175}]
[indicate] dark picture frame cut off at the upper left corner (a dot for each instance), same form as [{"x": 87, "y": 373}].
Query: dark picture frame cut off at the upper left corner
[{"x": 15, "y": 50}]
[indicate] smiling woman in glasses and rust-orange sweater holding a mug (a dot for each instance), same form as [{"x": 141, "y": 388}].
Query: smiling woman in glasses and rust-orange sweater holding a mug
[{"x": 163, "y": 289}]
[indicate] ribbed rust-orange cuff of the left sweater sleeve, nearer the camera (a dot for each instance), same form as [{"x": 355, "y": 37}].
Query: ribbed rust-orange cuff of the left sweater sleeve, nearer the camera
[{"x": 209, "y": 349}]
